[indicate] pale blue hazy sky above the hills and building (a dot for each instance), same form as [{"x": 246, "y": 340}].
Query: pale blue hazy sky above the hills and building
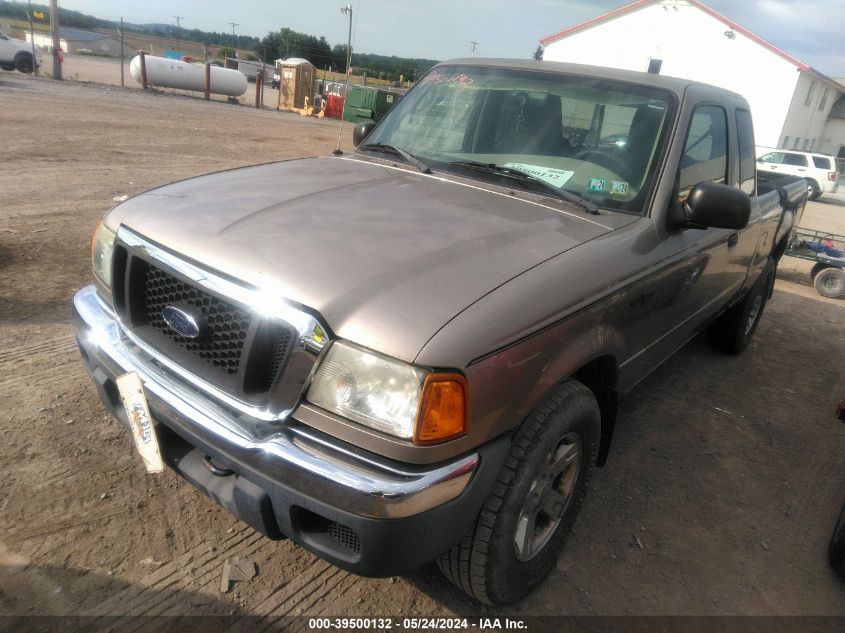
[{"x": 810, "y": 30}]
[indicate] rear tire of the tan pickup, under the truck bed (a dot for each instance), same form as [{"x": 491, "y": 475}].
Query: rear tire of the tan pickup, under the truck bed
[{"x": 732, "y": 332}]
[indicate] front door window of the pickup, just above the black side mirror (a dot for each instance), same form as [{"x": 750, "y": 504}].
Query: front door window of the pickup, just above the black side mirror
[{"x": 705, "y": 156}]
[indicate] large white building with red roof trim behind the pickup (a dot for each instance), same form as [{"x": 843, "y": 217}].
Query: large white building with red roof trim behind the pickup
[{"x": 790, "y": 102}]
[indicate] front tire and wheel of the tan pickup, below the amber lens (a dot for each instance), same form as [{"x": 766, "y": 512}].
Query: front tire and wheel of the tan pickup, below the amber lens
[{"x": 522, "y": 527}]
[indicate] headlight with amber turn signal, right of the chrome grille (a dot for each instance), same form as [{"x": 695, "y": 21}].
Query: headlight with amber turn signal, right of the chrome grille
[{"x": 388, "y": 395}]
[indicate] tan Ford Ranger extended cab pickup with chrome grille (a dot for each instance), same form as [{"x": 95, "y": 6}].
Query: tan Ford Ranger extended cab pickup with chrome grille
[{"x": 414, "y": 352}]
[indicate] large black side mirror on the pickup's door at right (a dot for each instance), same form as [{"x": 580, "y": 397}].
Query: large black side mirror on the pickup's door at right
[{"x": 714, "y": 205}]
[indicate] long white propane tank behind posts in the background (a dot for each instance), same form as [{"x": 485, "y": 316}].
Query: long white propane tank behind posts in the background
[{"x": 172, "y": 73}]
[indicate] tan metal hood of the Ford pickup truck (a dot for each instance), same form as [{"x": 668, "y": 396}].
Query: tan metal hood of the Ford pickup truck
[{"x": 386, "y": 255}]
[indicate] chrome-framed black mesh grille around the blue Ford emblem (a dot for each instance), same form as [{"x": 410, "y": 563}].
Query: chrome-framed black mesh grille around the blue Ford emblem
[{"x": 256, "y": 363}]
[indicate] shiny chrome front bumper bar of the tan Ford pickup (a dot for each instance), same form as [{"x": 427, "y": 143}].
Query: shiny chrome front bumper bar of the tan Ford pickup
[{"x": 290, "y": 453}]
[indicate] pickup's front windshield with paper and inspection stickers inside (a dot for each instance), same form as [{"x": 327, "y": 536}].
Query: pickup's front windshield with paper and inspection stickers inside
[{"x": 594, "y": 138}]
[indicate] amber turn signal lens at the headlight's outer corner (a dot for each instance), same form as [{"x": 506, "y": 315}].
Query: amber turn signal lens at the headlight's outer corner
[{"x": 443, "y": 412}]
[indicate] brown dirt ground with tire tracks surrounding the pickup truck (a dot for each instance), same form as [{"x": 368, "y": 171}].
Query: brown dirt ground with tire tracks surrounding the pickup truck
[{"x": 721, "y": 491}]
